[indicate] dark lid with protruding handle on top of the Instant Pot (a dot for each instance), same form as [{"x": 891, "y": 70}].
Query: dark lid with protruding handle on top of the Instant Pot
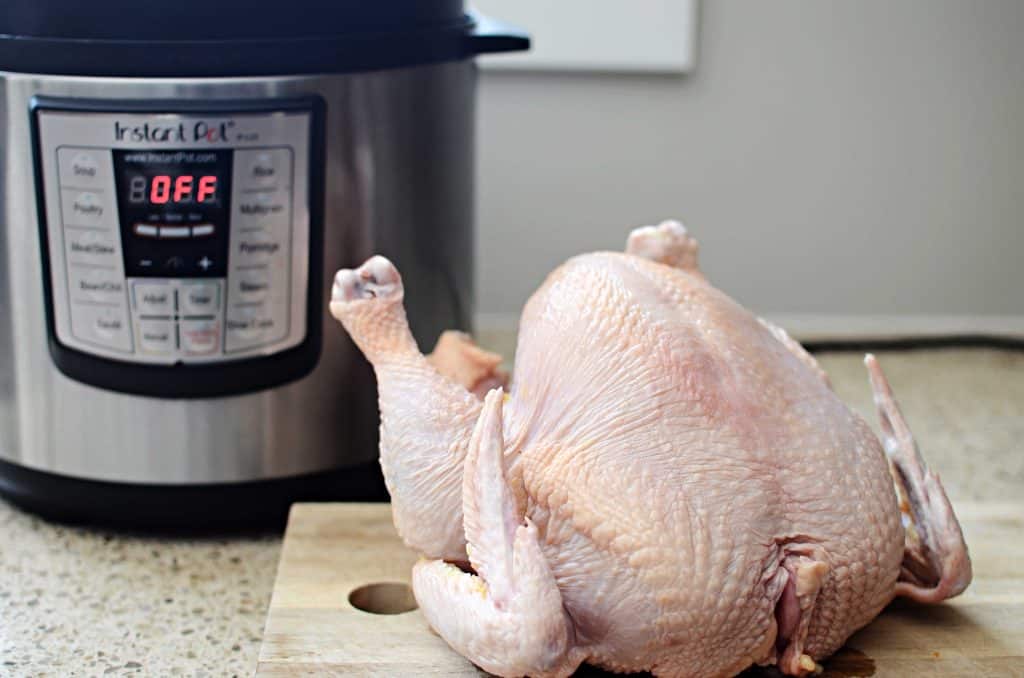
[{"x": 204, "y": 38}]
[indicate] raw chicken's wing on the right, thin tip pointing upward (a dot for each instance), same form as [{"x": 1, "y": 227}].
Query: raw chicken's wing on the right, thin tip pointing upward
[{"x": 936, "y": 565}]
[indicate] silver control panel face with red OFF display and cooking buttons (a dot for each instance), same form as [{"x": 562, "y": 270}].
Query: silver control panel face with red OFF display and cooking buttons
[{"x": 178, "y": 237}]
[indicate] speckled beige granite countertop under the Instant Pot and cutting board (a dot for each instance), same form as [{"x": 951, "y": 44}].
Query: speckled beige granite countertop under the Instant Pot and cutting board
[{"x": 92, "y": 602}]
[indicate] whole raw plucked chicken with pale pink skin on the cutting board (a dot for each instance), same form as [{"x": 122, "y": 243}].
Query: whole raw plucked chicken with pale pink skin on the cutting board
[{"x": 670, "y": 484}]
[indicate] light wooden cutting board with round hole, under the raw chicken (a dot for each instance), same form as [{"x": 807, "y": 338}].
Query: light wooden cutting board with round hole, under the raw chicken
[{"x": 331, "y": 550}]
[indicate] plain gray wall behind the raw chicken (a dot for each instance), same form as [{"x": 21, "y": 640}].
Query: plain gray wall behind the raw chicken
[{"x": 843, "y": 157}]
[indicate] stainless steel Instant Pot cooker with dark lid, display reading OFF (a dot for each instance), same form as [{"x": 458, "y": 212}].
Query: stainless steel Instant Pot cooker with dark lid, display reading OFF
[{"x": 180, "y": 184}]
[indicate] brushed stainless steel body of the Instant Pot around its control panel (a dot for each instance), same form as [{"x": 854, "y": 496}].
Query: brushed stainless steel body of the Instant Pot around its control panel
[{"x": 398, "y": 182}]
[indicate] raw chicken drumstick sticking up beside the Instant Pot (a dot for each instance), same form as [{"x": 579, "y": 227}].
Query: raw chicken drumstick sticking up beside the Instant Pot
[{"x": 426, "y": 419}]
